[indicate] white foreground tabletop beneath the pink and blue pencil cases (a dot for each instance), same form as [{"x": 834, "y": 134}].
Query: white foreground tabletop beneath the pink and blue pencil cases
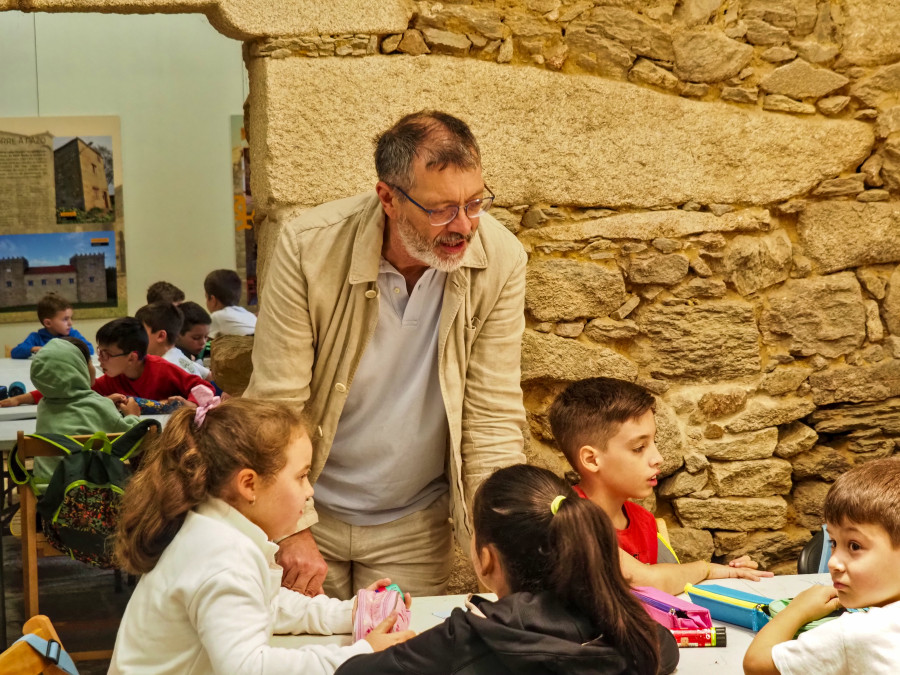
[{"x": 694, "y": 661}]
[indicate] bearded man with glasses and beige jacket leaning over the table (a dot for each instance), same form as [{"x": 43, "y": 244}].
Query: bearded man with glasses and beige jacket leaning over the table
[{"x": 395, "y": 318}]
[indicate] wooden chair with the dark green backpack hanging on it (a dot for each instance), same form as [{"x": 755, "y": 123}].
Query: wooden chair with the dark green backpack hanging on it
[{"x": 34, "y": 543}]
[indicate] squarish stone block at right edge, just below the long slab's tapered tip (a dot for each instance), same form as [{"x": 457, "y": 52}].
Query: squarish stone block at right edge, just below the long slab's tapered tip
[{"x": 837, "y": 235}]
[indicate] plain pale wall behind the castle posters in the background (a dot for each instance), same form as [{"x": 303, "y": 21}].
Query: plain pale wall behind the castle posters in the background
[{"x": 174, "y": 82}]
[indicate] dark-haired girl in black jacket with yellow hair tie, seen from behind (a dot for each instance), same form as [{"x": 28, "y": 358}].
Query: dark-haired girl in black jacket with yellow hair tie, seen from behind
[{"x": 563, "y": 605}]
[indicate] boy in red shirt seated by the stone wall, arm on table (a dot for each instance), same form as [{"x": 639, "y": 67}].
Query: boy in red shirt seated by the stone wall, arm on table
[{"x": 606, "y": 428}]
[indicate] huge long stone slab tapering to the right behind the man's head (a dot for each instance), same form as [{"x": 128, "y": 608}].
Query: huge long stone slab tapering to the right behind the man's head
[{"x": 310, "y": 134}]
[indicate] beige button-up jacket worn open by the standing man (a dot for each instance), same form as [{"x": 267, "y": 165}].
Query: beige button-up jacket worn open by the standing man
[{"x": 319, "y": 310}]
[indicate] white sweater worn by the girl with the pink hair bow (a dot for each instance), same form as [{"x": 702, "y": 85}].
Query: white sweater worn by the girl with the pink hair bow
[{"x": 213, "y": 601}]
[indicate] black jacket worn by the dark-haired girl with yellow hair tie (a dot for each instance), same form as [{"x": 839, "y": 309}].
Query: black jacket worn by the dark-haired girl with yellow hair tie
[{"x": 522, "y": 634}]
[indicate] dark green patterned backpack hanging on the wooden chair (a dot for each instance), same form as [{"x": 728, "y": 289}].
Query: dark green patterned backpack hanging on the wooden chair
[{"x": 80, "y": 505}]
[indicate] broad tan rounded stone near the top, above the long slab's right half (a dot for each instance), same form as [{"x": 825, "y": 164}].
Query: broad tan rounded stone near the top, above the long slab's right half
[{"x": 708, "y": 55}]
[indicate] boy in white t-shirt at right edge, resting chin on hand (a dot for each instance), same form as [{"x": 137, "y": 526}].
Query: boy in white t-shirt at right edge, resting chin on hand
[{"x": 862, "y": 511}]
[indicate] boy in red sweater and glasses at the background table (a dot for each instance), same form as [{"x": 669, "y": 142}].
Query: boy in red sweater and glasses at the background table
[{"x": 130, "y": 371}]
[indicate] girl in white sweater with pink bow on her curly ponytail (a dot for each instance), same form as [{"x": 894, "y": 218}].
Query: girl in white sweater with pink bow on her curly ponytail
[{"x": 198, "y": 520}]
